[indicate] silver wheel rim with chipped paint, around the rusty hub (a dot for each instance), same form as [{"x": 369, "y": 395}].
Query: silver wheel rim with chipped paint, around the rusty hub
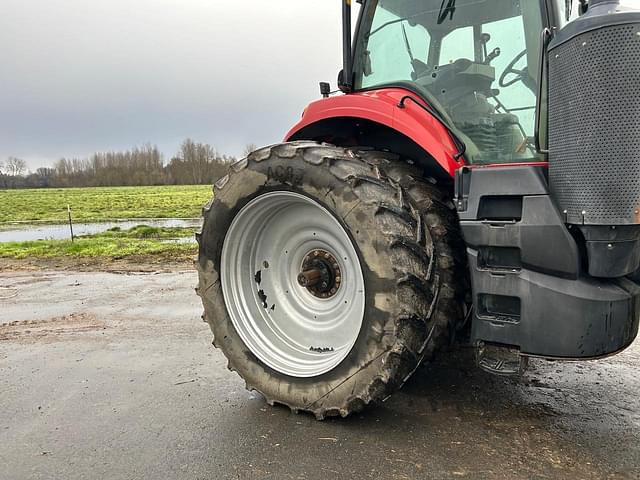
[{"x": 280, "y": 321}]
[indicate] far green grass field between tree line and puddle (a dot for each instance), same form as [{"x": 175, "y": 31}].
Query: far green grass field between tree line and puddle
[{"x": 103, "y": 203}]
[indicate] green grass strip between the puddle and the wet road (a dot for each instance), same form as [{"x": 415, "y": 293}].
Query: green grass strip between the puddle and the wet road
[{"x": 113, "y": 244}]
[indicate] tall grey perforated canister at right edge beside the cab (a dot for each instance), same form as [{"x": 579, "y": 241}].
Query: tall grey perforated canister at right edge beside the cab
[{"x": 594, "y": 133}]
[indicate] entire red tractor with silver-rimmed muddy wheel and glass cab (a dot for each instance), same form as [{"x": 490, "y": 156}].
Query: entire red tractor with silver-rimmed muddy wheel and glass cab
[{"x": 478, "y": 177}]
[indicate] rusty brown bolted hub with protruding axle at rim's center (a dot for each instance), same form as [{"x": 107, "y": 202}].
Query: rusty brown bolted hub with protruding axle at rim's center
[{"x": 320, "y": 274}]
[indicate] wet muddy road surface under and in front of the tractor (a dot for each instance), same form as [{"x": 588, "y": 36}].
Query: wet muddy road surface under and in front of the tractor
[{"x": 114, "y": 376}]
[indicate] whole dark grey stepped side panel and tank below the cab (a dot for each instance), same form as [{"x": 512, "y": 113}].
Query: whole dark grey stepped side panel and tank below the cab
[{"x": 530, "y": 289}]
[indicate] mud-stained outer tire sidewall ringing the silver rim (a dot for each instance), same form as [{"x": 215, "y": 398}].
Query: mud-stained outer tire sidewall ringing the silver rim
[{"x": 356, "y": 218}]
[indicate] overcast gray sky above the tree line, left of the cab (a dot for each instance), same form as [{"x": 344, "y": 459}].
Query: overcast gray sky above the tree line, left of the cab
[{"x": 80, "y": 76}]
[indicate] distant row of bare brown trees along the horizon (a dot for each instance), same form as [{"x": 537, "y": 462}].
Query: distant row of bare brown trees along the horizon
[{"x": 195, "y": 163}]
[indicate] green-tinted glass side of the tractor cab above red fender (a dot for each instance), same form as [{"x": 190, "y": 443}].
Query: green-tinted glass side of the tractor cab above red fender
[{"x": 476, "y": 62}]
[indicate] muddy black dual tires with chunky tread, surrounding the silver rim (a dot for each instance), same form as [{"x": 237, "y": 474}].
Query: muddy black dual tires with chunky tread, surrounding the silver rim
[{"x": 408, "y": 261}]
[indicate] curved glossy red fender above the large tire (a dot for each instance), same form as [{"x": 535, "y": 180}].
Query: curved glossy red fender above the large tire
[{"x": 381, "y": 106}]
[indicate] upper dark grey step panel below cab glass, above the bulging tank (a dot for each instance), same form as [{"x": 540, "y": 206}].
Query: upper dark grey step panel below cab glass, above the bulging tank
[{"x": 533, "y": 229}]
